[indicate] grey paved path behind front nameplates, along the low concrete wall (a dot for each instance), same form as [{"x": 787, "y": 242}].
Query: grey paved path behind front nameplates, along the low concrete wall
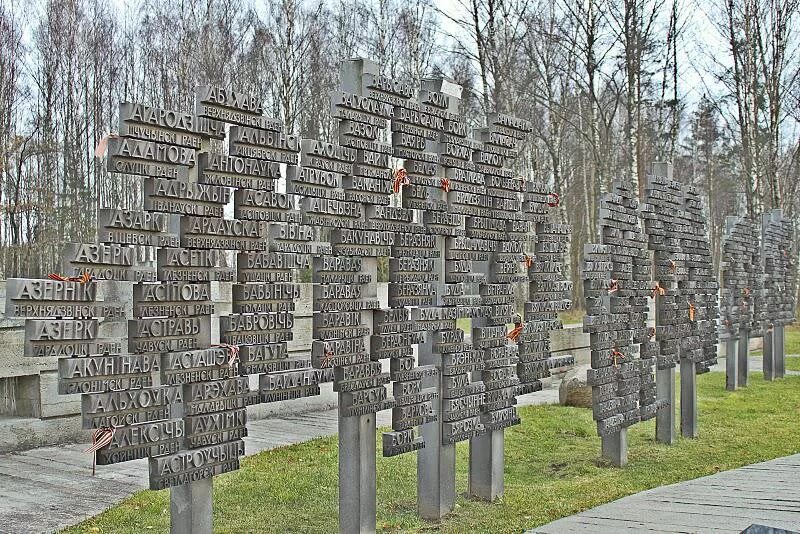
[{"x": 49, "y": 488}]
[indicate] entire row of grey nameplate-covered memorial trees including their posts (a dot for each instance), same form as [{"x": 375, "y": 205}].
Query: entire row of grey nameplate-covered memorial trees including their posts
[{"x": 475, "y": 255}]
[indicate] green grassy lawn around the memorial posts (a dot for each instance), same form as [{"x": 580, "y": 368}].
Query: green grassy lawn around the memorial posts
[{"x": 552, "y": 470}]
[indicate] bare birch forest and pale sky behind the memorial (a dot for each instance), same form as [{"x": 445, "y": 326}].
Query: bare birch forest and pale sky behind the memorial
[{"x": 609, "y": 85}]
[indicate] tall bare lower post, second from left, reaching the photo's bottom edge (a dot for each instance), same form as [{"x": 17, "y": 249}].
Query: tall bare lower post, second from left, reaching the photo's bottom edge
[{"x": 357, "y": 469}]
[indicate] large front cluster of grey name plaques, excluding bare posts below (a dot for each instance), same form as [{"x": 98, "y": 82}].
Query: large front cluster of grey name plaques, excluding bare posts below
[{"x": 166, "y": 371}]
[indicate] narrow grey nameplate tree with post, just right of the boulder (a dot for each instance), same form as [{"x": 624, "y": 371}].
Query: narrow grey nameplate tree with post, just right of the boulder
[{"x": 616, "y": 274}]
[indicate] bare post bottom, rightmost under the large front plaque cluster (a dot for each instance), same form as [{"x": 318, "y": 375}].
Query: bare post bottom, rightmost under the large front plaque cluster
[{"x": 486, "y": 464}]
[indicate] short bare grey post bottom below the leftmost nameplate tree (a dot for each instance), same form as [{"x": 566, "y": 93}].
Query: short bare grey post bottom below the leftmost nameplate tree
[{"x": 190, "y": 507}]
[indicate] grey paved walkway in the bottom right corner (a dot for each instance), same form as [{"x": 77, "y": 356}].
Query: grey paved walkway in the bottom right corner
[{"x": 767, "y": 494}]
